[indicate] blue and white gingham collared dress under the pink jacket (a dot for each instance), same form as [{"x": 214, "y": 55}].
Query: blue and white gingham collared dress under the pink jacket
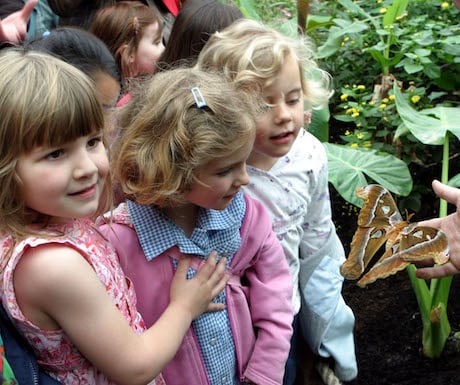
[{"x": 215, "y": 230}]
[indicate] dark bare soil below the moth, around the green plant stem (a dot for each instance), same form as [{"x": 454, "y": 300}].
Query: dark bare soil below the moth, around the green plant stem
[{"x": 389, "y": 335}]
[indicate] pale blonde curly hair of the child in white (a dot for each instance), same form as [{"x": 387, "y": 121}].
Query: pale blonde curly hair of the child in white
[{"x": 252, "y": 54}]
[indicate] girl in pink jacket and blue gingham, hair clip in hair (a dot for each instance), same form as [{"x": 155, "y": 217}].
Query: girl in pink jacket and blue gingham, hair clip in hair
[{"x": 181, "y": 163}]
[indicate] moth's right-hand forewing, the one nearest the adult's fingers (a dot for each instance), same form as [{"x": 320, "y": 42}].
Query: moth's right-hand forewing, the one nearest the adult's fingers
[{"x": 421, "y": 242}]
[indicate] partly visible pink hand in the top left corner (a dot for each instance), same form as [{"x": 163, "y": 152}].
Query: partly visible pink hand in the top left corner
[{"x": 13, "y": 28}]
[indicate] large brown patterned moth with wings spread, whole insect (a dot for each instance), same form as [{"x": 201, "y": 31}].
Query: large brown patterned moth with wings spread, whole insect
[{"x": 380, "y": 222}]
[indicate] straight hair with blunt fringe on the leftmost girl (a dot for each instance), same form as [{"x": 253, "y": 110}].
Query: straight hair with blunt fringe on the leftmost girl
[{"x": 43, "y": 102}]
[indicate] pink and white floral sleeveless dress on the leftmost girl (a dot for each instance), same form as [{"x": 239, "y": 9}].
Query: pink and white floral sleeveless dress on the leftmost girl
[{"x": 55, "y": 352}]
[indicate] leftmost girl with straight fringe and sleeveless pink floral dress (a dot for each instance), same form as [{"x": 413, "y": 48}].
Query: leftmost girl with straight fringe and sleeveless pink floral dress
[{"x": 61, "y": 282}]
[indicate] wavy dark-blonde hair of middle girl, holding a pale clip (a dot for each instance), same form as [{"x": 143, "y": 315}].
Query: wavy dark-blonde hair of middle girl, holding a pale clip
[{"x": 166, "y": 136}]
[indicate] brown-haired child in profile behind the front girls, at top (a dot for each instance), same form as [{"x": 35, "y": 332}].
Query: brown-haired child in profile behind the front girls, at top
[{"x": 133, "y": 32}]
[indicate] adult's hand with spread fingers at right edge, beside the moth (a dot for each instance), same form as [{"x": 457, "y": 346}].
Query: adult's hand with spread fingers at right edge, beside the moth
[{"x": 451, "y": 226}]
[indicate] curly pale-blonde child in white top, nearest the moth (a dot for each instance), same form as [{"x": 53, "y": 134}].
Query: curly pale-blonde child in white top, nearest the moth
[{"x": 288, "y": 173}]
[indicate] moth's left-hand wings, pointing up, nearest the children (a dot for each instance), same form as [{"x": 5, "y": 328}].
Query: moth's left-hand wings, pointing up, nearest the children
[{"x": 376, "y": 218}]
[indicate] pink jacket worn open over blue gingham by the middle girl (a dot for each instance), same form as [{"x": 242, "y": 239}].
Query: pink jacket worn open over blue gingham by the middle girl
[{"x": 260, "y": 310}]
